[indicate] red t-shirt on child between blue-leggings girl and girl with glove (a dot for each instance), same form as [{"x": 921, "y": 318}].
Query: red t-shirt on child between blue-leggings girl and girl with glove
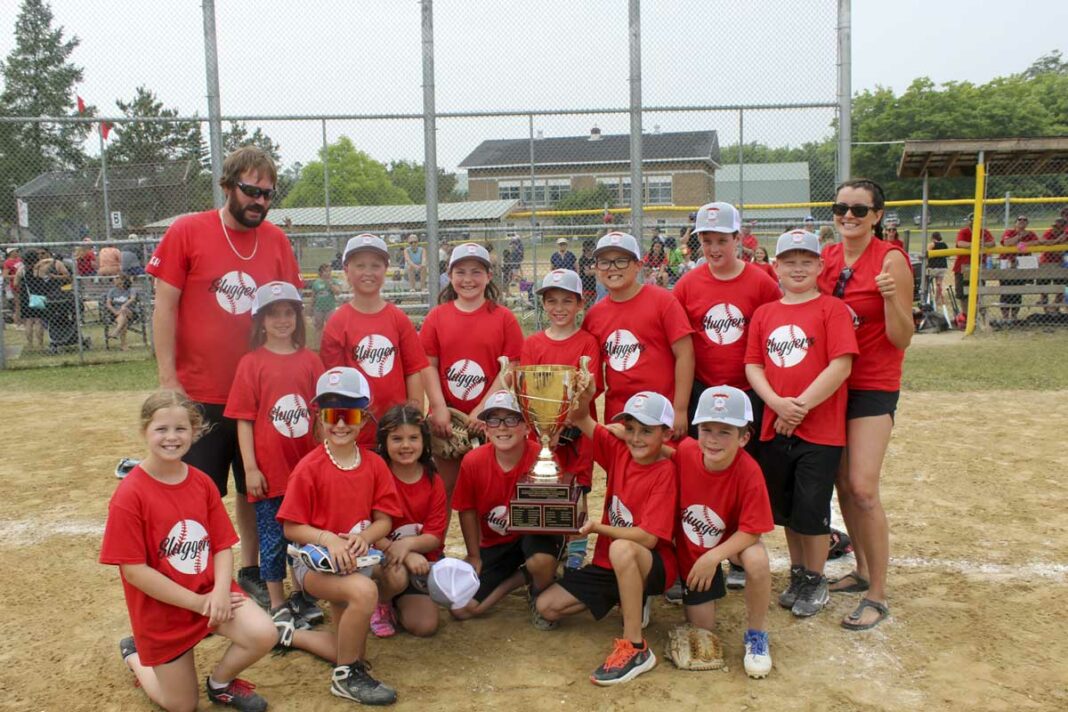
[{"x": 386, "y": 350}]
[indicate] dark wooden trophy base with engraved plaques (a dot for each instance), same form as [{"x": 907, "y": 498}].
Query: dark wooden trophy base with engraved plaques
[{"x": 542, "y": 508}]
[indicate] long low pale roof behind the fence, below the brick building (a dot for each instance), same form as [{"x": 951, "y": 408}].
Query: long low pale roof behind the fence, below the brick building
[{"x": 382, "y": 216}]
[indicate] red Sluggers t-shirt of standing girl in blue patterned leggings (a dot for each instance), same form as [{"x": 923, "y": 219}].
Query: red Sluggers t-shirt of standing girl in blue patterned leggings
[{"x": 273, "y": 391}]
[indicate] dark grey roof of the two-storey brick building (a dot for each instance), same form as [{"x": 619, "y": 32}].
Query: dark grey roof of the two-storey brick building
[{"x": 615, "y": 149}]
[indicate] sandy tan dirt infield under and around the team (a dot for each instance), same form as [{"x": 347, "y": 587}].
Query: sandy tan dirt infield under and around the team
[{"x": 979, "y": 578}]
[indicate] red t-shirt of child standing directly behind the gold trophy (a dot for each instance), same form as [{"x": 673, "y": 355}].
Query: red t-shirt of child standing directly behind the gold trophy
[{"x": 577, "y": 457}]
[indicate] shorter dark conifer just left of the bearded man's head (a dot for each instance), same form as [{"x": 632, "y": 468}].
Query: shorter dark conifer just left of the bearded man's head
[{"x": 153, "y": 143}]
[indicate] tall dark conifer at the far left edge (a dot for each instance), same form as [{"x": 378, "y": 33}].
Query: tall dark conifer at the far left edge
[{"x": 39, "y": 82}]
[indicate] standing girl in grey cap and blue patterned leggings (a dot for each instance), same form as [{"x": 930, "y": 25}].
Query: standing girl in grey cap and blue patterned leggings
[{"x": 273, "y": 387}]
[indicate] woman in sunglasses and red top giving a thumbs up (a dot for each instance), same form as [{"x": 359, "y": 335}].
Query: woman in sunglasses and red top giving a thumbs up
[{"x": 875, "y": 280}]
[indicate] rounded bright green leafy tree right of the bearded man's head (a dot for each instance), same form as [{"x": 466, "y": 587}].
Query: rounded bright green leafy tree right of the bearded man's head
[{"x": 356, "y": 179}]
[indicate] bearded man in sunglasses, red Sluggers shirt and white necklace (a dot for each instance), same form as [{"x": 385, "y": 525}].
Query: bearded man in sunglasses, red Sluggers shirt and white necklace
[{"x": 208, "y": 268}]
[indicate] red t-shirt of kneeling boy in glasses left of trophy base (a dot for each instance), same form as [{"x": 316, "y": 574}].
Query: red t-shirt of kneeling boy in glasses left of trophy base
[{"x": 486, "y": 488}]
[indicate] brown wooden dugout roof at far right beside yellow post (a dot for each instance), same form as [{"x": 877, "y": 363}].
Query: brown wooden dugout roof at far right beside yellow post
[{"x": 943, "y": 159}]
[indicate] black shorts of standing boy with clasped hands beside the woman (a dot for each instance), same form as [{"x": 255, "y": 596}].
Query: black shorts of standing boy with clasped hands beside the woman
[{"x": 800, "y": 478}]
